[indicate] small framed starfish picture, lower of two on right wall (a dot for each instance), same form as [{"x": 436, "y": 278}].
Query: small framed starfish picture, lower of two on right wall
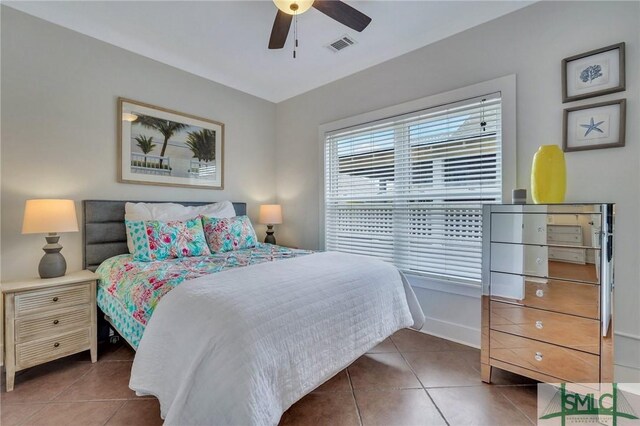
[{"x": 594, "y": 126}]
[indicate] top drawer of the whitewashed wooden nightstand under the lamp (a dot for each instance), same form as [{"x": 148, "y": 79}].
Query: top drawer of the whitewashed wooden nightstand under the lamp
[{"x": 54, "y": 298}]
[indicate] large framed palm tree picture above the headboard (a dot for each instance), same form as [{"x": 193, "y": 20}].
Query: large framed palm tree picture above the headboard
[{"x": 159, "y": 146}]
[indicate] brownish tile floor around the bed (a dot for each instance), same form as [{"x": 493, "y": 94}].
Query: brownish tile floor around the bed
[{"x": 409, "y": 379}]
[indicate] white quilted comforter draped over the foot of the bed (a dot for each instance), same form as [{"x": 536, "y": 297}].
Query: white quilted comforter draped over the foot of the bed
[{"x": 241, "y": 346}]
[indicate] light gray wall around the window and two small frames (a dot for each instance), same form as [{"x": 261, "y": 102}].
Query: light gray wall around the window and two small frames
[{"x": 529, "y": 43}]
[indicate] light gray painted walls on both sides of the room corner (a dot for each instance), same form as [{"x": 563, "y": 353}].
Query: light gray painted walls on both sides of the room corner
[{"x": 59, "y": 91}]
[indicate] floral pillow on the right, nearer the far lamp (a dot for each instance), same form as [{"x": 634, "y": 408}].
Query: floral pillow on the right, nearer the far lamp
[{"x": 226, "y": 234}]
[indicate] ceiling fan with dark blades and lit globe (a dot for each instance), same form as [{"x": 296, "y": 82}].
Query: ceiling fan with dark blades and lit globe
[{"x": 335, "y": 9}]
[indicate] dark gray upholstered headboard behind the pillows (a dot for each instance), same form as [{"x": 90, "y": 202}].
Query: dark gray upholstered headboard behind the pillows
[{"x": 104, "y": 231}]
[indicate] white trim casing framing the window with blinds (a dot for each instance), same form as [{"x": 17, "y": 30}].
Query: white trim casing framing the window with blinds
[{"x": 505, "y": 85}]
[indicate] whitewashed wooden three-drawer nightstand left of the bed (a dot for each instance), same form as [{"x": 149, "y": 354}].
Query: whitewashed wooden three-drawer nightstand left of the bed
[{"x": 47, "y": 319}]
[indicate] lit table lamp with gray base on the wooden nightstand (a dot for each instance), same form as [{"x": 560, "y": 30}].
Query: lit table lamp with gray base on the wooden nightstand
[{"x": 50, "y": 217}]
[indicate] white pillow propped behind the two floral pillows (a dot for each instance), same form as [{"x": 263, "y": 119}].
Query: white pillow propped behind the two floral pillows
[{"x": 167, "y": 212}]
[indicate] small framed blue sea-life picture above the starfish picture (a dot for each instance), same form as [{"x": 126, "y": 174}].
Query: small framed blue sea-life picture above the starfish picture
[{"x": 594, "y": 73}]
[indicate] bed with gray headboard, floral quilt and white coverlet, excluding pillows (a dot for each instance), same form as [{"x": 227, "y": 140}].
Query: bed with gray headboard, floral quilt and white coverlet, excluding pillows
[{"x": 241, "y": 336}]
